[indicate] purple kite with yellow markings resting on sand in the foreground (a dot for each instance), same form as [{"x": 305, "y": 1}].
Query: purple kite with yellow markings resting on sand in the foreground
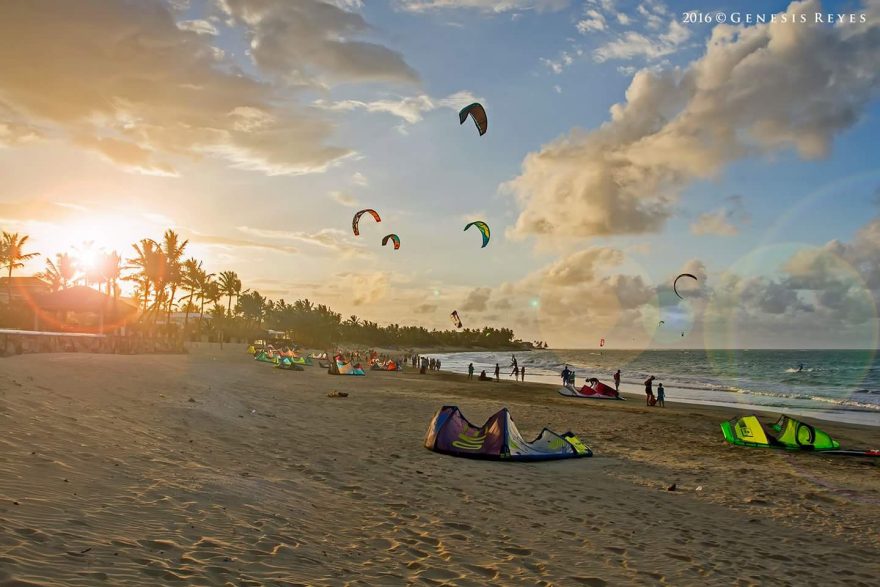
[{"x": 498, "y": 439}]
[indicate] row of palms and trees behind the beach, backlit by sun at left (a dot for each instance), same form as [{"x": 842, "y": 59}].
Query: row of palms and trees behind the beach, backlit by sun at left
[{"x": 166, "y": 281}]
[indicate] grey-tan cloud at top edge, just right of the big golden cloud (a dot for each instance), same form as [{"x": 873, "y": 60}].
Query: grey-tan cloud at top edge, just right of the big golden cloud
[{"x": 313, "y": 42}]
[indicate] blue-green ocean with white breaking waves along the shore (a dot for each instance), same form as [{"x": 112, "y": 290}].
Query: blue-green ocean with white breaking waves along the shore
[{"x": 841, "y": 385}]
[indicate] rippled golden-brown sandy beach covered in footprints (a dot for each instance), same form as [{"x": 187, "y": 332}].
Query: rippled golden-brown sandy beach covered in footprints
[{"x": 212, "y": 469}]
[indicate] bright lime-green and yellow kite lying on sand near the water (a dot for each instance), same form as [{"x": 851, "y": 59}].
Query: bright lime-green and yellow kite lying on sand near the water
[{"x": 786, "y": 433}]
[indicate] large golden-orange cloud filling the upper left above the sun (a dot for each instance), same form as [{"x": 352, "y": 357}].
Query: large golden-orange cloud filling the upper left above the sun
[{"x": 122, "y": 79}]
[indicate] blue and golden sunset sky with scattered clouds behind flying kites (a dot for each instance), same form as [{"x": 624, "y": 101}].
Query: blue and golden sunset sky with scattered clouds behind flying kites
[{"x": 628, "y": 142}]
